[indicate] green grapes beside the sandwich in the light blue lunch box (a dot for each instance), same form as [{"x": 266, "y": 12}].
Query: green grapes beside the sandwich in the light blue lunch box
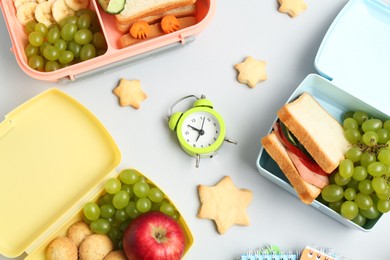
[{"x": 360, "y": 189}]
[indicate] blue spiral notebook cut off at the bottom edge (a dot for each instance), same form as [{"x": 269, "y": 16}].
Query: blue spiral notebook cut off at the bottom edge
[{"x": 270, "y": 253}]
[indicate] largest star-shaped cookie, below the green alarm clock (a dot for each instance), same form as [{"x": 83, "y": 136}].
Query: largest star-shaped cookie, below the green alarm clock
[{"x": 225, "y": 204}]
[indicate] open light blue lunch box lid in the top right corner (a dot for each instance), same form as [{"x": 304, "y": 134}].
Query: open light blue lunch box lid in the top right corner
[{"x": 355, "y": 52}]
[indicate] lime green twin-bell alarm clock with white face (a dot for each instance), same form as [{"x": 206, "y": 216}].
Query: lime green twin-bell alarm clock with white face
[{"x": 200, "y": 130}]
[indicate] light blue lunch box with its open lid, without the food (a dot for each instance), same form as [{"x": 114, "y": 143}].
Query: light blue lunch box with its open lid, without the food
[{"x": 353, "y": 62}]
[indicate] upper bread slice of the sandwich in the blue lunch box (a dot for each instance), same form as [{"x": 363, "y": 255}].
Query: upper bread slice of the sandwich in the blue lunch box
[{"x": 319, "y": 132}]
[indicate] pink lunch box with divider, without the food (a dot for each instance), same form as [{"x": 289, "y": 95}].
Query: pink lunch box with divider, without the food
[{"x": 114, "y": 56}]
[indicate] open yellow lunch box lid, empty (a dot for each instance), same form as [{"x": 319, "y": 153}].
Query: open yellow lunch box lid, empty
[{"x": 54, "y": 156}]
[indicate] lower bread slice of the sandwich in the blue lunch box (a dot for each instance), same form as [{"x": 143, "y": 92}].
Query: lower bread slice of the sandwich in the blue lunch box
[{"x": 306, "y": 191}]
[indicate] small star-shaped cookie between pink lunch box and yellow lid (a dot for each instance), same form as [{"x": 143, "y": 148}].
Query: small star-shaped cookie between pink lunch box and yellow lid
[{"x": 130, "y": 93}]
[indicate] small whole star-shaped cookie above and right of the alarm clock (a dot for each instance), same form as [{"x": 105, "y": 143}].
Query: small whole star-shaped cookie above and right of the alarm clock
[{"x": 251, "y": 71}]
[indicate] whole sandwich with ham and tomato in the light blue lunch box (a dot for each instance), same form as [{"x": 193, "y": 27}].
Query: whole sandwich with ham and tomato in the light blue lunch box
[{"x": 308, "y": 144}]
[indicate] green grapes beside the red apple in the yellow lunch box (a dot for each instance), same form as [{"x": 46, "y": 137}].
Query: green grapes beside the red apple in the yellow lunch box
[{"x": 124, "y": 199}]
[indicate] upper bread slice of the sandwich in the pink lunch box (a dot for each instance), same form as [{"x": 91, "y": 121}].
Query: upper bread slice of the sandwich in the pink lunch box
[{"x": 135, "y": 10}]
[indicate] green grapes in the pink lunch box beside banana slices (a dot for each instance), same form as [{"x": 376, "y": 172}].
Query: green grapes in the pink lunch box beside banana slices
[{"x": 76, "y": 38}]
